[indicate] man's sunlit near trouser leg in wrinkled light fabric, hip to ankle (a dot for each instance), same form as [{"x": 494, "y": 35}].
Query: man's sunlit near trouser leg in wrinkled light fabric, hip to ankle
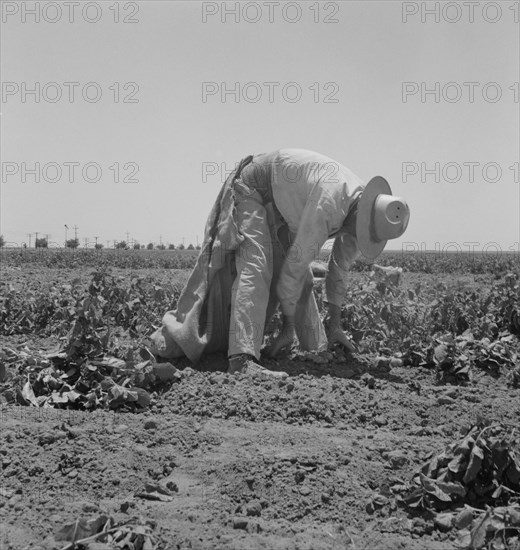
[{"x": 254, "y": 264}]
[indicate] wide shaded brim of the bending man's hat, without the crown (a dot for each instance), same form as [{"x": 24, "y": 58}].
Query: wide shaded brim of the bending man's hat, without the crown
[{"x": 368, "y": 245}]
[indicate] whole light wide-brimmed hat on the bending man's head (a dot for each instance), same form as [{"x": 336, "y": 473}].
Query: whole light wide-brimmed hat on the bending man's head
[{"x": 380, "y": 217}]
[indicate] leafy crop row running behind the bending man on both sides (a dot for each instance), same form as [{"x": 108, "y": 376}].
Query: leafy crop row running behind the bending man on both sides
[{"x": 474, "y": 326}]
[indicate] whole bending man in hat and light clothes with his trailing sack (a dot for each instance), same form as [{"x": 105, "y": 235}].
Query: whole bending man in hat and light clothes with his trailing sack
[{"x": 271, "y": 219}]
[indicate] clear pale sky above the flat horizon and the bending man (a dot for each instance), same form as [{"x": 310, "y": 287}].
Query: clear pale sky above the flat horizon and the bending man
[{"x": 182, "y": 142}]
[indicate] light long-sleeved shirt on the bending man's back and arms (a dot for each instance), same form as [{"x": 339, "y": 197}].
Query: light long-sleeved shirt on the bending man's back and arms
[{"x": 314, "y": 194}]
